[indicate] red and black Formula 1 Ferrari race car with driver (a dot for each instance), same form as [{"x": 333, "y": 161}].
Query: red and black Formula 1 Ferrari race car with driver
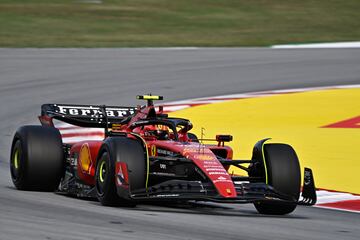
[{"x": 148, "y": 156}]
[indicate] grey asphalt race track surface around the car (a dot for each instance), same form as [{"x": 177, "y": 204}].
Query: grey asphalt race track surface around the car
[{"x": 30, "y": 77}]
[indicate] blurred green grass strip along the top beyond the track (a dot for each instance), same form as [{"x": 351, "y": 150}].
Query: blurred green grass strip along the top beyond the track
[{"x": 150, "y": 23}]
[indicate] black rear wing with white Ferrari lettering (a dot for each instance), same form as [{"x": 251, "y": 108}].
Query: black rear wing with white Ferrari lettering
[{"x": 85, "y": 115}]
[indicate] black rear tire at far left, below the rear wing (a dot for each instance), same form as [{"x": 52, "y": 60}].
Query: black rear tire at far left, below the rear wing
[{"x": 37, "y": 158}]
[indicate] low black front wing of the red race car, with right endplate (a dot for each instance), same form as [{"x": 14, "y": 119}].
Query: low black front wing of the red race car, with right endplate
[{"x": 173, "y": 190}]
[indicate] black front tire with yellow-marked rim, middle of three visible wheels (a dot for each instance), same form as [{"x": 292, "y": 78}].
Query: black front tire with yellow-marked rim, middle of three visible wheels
[{"x": 125, "y": 150}]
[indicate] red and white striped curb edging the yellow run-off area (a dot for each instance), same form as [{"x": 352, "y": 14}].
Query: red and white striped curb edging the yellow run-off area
[{"x": 326, "y": 198}]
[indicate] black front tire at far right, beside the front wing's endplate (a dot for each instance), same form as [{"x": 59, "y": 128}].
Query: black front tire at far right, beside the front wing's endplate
[{"x": 283, "y": 174}]
